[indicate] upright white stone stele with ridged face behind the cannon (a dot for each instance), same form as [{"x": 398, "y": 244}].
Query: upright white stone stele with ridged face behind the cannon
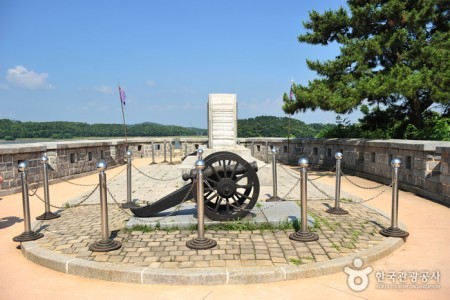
[{"x": 222, "y": 121}]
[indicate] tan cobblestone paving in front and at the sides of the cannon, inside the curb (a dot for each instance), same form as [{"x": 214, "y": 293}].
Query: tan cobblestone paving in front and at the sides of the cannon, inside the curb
[{"x": 78, "y": 227}]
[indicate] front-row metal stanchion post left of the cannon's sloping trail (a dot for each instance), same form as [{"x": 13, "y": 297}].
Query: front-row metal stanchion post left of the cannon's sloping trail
[{"x": 105, "y": 244}]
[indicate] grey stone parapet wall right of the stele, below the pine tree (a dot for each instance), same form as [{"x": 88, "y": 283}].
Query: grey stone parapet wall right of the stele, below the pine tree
[{"x": 424, "y": 170}]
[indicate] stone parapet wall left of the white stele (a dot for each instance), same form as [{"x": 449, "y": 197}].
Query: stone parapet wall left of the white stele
[{"x": 72, "y": 159}]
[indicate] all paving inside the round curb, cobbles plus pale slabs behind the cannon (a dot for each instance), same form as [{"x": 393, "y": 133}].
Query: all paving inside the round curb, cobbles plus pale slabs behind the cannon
[{"x": 79, "y": 226}]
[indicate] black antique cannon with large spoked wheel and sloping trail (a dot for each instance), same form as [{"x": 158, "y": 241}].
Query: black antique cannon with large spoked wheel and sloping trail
[{"x": 231, "y": 189}]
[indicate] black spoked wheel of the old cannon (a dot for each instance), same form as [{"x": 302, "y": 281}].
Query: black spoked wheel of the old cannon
[{"x": 228, "y": 195}]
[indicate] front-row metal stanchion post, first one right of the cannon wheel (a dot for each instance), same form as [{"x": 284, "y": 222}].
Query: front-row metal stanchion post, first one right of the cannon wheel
[{"x": 303, "y": 235}]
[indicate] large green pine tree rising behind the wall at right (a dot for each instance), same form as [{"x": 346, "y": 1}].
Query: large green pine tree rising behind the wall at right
[{"x": 394, "y": 63}]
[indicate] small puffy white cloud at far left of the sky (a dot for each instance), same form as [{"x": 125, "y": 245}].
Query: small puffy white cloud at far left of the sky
[{"x": 28, "y": 79}]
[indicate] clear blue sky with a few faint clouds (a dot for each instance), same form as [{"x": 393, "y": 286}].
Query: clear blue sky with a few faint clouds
[{"x": 64, "y": 60}]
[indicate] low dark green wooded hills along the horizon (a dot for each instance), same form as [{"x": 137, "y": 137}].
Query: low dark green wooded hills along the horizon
[{"x": 263, "y": 126}]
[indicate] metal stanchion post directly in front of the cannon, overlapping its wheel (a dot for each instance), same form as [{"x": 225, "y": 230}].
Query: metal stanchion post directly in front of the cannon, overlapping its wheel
[{"x": 201, "y": 242}]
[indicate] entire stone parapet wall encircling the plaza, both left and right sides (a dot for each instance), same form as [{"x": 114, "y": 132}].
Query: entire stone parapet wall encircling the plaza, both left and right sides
[{"x": 424, "y": 170}]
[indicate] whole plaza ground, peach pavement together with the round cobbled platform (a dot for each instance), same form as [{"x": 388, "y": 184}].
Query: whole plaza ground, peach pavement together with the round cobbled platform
[{"x": 351, "y": 259}]
